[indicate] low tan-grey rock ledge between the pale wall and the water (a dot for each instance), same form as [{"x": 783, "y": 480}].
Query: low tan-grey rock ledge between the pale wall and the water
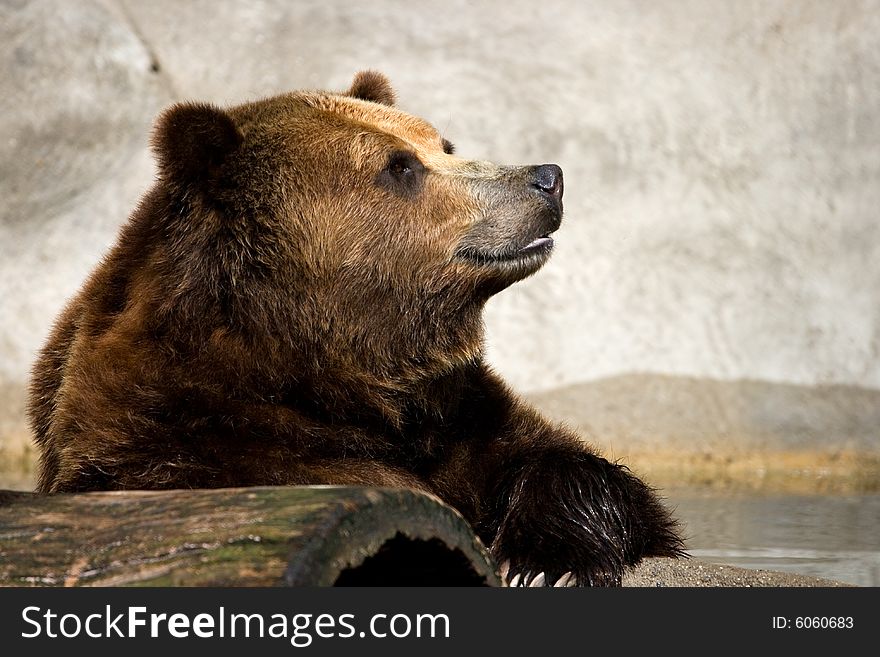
[{"x": 682, "y": 430}]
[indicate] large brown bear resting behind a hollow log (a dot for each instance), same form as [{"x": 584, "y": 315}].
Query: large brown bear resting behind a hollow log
[{"x": 298, "y": 300}]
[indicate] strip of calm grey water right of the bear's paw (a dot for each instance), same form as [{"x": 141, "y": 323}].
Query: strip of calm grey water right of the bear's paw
[{"x": 831, "y": 536}]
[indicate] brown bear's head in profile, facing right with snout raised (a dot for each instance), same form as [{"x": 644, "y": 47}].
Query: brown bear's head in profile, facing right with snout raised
[{"x": 338, "y": 227}]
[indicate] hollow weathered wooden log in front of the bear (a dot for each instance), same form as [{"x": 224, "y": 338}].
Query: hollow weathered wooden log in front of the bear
[{"x": 295, "y": 536}]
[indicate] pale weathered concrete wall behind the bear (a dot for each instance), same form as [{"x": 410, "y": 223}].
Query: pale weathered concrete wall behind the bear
[{"x": 721, "y": 162}]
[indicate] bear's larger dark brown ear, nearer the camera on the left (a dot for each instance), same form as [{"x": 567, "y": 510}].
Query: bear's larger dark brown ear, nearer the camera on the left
[{"x": 192, "y": 140}]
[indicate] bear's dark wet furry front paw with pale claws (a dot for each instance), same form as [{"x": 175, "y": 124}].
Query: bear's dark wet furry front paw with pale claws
[{"x": 581, "y": 517}]
